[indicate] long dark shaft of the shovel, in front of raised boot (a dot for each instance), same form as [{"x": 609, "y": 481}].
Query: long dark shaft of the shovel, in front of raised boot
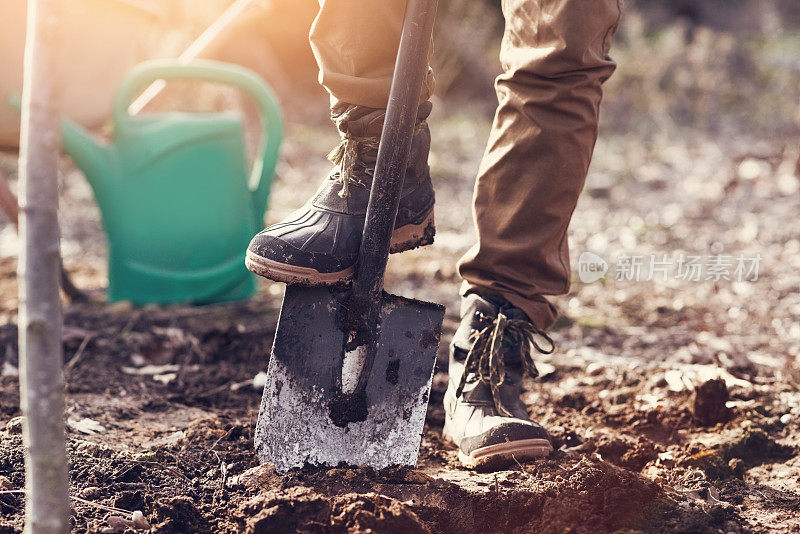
[{"x": 401, "y": 115}]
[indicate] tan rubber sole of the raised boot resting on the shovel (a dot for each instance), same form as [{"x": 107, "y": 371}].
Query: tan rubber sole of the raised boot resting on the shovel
[{"x": 405, "y": 238}]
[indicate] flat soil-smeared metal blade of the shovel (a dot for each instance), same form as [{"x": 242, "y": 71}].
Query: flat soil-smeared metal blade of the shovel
[{"x": 297, "y": 423}]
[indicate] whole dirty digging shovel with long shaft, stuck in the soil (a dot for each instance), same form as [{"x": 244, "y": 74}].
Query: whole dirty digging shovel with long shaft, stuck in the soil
[{"x": 350, "y": 372}]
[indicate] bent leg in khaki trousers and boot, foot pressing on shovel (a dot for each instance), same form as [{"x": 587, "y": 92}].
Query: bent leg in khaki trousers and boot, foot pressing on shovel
[{"x": 355, "y": 43}]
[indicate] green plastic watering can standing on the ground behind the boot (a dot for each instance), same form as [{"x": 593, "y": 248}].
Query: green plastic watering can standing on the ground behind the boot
[{"x": 177, "y": 200}]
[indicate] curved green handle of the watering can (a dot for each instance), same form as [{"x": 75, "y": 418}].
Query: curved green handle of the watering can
[{"x": 217, "y": 71}]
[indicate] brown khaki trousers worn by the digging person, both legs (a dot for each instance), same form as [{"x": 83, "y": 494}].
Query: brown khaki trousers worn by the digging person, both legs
[{"x": 555, "y": 58}]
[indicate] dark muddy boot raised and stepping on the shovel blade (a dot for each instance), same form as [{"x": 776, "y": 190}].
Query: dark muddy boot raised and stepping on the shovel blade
[{"x": 318, "y": 244}]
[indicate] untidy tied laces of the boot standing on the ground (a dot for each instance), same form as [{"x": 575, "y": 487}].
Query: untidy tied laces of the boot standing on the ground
[{"x": 484, "y": 360}]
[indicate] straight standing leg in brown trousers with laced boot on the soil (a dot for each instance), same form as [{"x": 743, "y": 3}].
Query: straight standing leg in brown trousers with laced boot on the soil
[{"x": 554, "y": 53}]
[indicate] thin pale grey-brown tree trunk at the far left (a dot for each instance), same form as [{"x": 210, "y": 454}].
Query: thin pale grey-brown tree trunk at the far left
[{"x": 41, "y": 358}]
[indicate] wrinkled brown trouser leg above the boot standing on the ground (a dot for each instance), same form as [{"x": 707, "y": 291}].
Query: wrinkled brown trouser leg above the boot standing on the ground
[{"x": 555, "y": 57}]
